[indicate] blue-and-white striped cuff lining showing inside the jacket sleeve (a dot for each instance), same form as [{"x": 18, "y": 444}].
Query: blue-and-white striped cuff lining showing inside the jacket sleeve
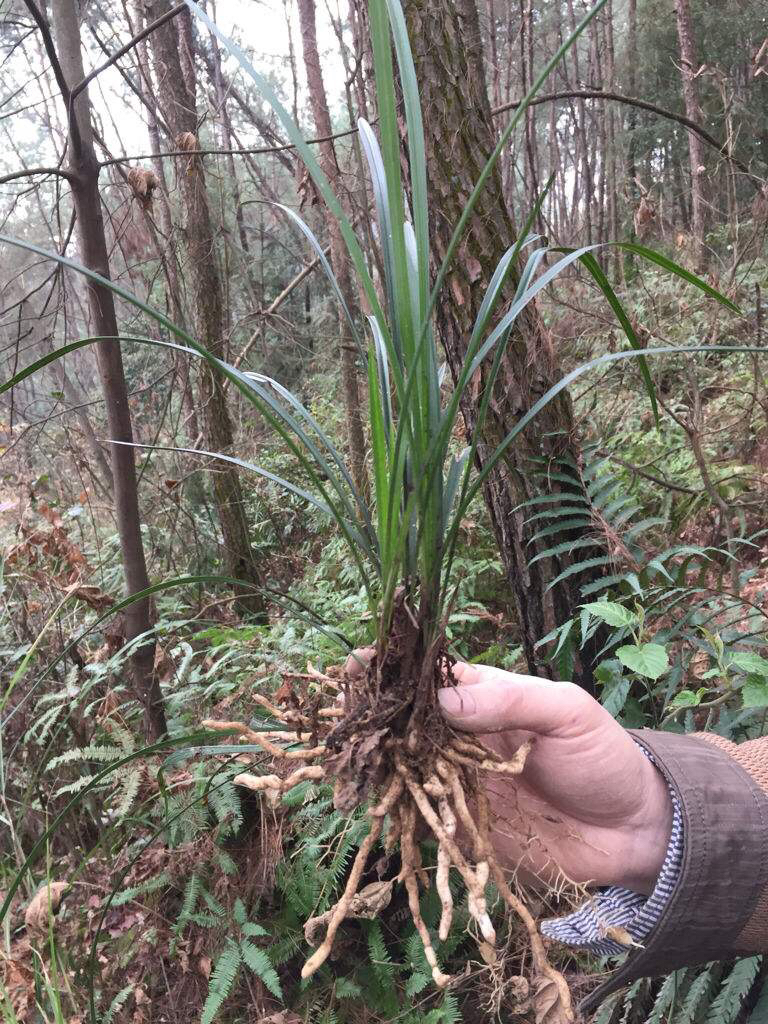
[{"x": 619, "y": 908}]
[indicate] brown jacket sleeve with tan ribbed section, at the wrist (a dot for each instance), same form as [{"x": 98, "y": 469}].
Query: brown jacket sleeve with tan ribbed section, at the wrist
[{"x": 719, "y": 908}]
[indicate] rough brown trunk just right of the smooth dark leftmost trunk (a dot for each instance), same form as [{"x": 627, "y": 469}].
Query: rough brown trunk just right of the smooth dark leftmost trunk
[{"x": 174, "y": 51}]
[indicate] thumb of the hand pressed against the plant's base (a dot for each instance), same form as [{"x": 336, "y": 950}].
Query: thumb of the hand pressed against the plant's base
[{"x": 505, "y": 701}]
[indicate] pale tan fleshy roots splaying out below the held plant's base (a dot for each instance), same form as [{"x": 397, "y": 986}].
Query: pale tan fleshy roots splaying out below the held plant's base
[{"x": 424, "y": 790}]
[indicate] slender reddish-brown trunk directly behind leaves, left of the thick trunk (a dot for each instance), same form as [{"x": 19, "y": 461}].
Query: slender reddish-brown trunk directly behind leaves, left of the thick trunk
[{"x": 339, "y": 255}]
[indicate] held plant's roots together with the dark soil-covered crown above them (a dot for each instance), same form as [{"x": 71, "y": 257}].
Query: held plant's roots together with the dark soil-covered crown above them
[{"x": 391, "y": 746}]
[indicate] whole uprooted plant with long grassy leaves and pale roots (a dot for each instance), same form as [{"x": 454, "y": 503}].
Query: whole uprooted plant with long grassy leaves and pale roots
[{"x": 390, "y": 743}]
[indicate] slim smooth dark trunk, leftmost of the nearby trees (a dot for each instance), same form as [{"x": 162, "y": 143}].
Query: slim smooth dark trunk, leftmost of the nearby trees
[{"x": 93, "y": 243}]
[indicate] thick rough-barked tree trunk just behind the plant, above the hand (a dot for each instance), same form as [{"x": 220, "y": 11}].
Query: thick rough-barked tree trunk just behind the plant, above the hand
[{"x": 449, "y": 61}]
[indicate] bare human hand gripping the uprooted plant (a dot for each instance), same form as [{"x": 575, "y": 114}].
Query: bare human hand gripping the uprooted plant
[{"x": 588, "y": 801}]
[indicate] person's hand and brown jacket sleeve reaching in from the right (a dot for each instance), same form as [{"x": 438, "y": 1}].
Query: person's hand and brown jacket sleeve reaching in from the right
[{"x": 584, "y": 791}]
